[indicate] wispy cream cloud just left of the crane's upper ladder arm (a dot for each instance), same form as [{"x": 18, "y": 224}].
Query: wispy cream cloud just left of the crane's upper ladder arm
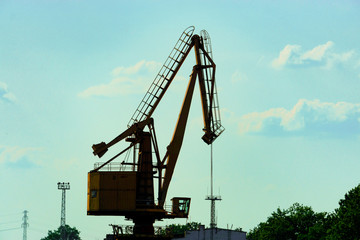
[{"x": 126, "y": 80}]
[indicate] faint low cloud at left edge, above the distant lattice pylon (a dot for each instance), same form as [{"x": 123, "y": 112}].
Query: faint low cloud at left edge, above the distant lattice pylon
[{"x": 17, "y": 157}]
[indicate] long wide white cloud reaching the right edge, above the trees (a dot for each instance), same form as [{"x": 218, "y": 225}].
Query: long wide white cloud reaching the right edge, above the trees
[{"x": 305, "y": 118}]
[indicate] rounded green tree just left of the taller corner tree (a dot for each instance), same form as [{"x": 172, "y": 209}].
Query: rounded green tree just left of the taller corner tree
[{"x": 297, "y": 222}]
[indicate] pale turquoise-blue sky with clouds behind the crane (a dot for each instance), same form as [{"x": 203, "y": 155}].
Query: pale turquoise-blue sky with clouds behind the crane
[{"x": 73, "y": 72}]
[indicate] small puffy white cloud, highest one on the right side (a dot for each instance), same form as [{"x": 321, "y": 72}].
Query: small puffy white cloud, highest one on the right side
[{"x": 323, "y": 55}]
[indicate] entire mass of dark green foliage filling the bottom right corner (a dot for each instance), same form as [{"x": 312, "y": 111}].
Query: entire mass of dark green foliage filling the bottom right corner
[{"x": 300, "y": 222}]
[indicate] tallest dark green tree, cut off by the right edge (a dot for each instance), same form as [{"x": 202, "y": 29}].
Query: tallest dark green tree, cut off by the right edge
[{"x": 347, "y": 217}]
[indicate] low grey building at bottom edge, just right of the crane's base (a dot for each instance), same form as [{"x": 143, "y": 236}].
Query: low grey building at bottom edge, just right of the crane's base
[{"x": 218, "y": 234}]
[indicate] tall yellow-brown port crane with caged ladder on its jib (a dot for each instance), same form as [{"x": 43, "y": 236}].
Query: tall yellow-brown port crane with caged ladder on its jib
[{"x": 130, "y": 193}]
